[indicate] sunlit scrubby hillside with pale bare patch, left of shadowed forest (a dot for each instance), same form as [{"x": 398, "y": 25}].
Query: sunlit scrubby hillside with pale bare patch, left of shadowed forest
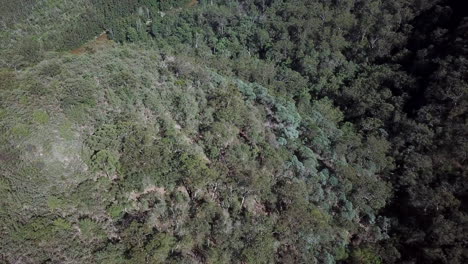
[{"x": 123, "y": 155}]
